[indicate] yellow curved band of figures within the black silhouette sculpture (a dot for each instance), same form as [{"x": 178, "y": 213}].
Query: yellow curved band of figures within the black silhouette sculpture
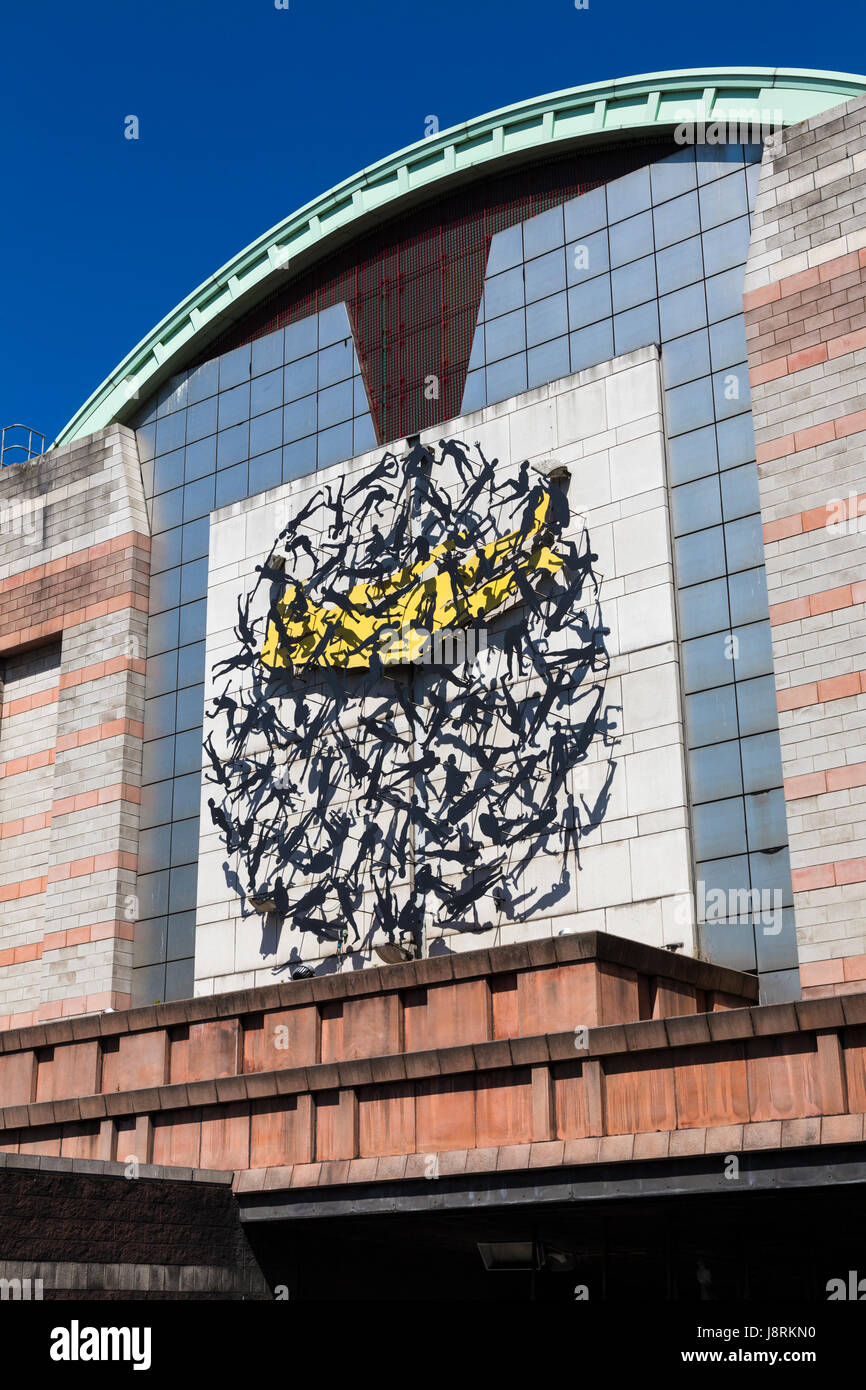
[{"x": 430, "y": 596}]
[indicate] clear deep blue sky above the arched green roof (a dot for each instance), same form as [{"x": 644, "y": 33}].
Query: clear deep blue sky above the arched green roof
[{"x": 247, "y": 112}]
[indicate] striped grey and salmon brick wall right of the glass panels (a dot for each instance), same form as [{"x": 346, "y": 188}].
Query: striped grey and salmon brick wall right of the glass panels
[{"x": 806, "y": 308}]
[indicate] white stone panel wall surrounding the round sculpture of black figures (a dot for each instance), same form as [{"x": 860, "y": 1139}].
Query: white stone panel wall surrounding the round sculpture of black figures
[{"x": 605, "y": 425}]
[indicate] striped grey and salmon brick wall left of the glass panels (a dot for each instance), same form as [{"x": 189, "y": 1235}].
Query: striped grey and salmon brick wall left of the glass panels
[{"x": 73, "y": 636}]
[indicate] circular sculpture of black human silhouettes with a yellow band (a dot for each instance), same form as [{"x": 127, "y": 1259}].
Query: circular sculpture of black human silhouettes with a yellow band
[{"x": 412, "y": 736}]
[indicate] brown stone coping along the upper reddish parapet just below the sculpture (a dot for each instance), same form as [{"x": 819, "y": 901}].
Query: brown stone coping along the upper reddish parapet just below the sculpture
[{"x": 465, "y": 965}]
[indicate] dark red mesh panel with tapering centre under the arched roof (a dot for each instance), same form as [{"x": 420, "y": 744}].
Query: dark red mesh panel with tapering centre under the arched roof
[{"x": 414, "y": 286}]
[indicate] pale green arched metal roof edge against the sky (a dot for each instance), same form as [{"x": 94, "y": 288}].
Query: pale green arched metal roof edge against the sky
[{"x": 576, "y": 116}]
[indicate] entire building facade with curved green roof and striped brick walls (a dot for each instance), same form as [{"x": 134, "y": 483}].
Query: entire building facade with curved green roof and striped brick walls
[{"x": 436, "y": 672}]
